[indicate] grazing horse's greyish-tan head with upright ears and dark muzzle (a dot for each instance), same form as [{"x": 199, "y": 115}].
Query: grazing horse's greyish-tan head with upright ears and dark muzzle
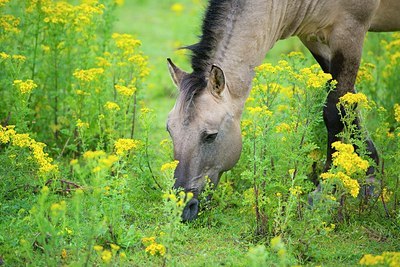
[{"x": 205, "y": 132}]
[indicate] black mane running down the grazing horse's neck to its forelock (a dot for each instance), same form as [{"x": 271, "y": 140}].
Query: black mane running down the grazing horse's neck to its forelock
[{"x": 202, "y": 53}]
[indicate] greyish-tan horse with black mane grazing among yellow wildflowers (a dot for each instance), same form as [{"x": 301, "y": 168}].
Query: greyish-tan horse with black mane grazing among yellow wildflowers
[{"x": 204, "y": 124}]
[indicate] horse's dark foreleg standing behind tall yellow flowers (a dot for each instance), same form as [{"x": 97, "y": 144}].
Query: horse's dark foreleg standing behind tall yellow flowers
[{"x": 341, "y": 58}]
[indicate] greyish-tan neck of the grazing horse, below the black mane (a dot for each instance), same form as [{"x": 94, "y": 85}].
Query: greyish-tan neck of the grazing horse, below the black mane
[{"x": 246, "y": 40}]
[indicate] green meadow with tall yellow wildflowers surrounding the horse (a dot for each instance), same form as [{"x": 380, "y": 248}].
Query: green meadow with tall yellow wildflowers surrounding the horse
[{"x": 86, "y": 166}]
